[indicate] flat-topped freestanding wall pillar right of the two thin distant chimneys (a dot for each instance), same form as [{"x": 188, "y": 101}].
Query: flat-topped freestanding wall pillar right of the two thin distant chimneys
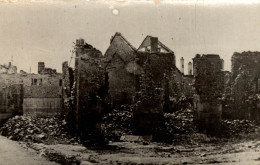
[{"x": 209, "y": 87}]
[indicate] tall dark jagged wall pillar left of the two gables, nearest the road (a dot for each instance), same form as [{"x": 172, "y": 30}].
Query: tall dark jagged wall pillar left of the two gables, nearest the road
[{"x": 90, "y": 91}]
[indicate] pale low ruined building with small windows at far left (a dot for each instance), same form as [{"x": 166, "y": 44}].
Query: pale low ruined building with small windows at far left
[{"x": 30, "y": 94}]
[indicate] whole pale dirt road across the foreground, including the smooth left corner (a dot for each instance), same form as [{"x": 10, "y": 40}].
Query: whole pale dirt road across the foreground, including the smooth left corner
[{"x": 228, "y": 153}]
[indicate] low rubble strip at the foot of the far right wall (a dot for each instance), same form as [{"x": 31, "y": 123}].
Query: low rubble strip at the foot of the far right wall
[{"x": 236, "y": 127}]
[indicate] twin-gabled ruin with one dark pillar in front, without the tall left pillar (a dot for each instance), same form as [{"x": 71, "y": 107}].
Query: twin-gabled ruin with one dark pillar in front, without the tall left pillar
[{"x": 134, "y": 75}]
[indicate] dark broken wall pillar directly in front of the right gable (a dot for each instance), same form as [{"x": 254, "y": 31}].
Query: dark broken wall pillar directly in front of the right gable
[{"x": 152, "y": 90}]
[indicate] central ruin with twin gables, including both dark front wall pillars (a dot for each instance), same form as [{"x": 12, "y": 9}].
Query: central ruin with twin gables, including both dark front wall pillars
[{"x": 146, "y": 77}]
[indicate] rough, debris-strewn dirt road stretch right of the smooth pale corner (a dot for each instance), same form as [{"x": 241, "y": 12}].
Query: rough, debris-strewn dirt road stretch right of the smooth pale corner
[{"x": 244, "y": 153}]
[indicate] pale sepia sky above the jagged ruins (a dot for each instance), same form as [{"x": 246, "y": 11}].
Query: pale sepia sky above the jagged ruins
[{"x": 45, "y": 30}]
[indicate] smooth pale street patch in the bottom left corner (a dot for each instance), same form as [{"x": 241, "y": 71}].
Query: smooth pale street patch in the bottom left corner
[{"x": 12, "y": 153}]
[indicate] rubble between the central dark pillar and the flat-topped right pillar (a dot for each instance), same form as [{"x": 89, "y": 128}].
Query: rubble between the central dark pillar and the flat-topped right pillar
[{"x": 180, "y": 121}]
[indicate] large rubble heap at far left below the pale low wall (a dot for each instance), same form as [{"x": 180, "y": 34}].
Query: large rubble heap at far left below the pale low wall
[{"x": 34, "y": 129}]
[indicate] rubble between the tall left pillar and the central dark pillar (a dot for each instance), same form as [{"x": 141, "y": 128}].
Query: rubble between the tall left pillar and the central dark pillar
[{"x": 117, "y": 123}]
